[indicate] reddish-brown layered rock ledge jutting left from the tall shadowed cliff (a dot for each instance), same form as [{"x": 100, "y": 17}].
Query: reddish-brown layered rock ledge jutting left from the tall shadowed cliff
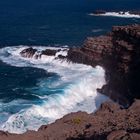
[{"x": 94, "y": 52}]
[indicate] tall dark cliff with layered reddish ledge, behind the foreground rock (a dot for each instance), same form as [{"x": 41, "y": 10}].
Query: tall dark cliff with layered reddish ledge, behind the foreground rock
[{"x": 118, "y": 52}]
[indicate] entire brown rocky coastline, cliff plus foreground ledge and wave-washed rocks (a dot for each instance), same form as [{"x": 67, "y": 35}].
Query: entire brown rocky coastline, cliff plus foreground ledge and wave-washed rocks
[{"x": 118, "y": 53}]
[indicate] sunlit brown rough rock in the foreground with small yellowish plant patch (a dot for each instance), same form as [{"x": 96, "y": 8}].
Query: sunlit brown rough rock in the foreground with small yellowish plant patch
[{"x": 110, "y": 122}]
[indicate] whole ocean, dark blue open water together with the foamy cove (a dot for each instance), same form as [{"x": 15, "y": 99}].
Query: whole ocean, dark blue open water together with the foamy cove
[{"x": 36, "y": 92}]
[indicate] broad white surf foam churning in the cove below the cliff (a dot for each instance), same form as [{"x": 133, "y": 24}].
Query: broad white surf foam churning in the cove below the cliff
[{"x": 79, "y": 93}]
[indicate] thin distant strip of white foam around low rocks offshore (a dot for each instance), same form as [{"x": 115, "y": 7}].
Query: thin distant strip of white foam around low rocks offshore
[{"x": 117, "y": 14}]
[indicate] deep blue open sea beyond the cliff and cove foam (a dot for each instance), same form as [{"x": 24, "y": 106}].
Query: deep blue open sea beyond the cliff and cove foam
[{"x": 45, "y": 22}]
